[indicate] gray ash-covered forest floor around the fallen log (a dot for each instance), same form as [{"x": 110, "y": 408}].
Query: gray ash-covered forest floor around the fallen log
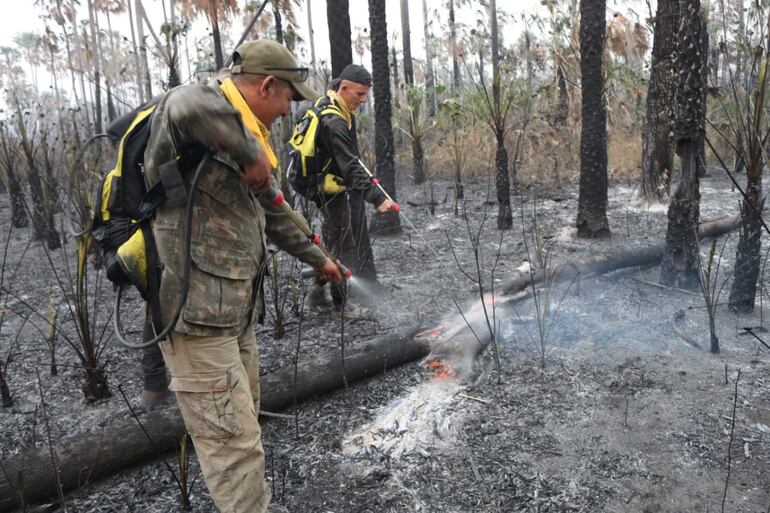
[{"x": 624, "y": 417}]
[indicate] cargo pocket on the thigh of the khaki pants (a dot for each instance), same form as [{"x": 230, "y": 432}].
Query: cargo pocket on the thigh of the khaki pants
[{"x": 206, "y": 403}]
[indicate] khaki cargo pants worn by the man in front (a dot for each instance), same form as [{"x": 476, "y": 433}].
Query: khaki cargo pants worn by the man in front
[{"x": 216, "y": 380}]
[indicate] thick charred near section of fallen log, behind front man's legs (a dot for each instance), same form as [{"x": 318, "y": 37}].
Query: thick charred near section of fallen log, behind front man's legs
[{"x": 30, "y": 477}]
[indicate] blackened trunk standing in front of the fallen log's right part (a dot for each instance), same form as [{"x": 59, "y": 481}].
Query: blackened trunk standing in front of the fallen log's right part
[{"x": 680, "y": 265}]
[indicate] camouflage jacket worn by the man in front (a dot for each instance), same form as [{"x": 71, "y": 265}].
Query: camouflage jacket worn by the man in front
[{"x": 229, "y": 223}]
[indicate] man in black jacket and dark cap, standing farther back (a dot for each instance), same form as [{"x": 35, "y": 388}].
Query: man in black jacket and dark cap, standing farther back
[{"x": 345, "y": 187}]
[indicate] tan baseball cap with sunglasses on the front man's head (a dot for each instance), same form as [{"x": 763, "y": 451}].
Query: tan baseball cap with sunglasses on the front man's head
[{"x": 265, "y": 57}]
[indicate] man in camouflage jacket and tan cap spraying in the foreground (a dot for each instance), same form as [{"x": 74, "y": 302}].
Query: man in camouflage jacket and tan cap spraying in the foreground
[{"x": 212, "y": 352}]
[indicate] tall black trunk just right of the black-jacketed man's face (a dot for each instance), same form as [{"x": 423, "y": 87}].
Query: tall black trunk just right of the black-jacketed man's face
[{"x": 383, "y": 129}]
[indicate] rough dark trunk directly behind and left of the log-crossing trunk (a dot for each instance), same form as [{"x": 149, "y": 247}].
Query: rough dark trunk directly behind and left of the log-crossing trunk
[{"x": 657, "y": 143}]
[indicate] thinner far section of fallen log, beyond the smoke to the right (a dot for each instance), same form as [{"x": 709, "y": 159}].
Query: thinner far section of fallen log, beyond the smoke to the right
[{"x": 635, "y": 257}]
